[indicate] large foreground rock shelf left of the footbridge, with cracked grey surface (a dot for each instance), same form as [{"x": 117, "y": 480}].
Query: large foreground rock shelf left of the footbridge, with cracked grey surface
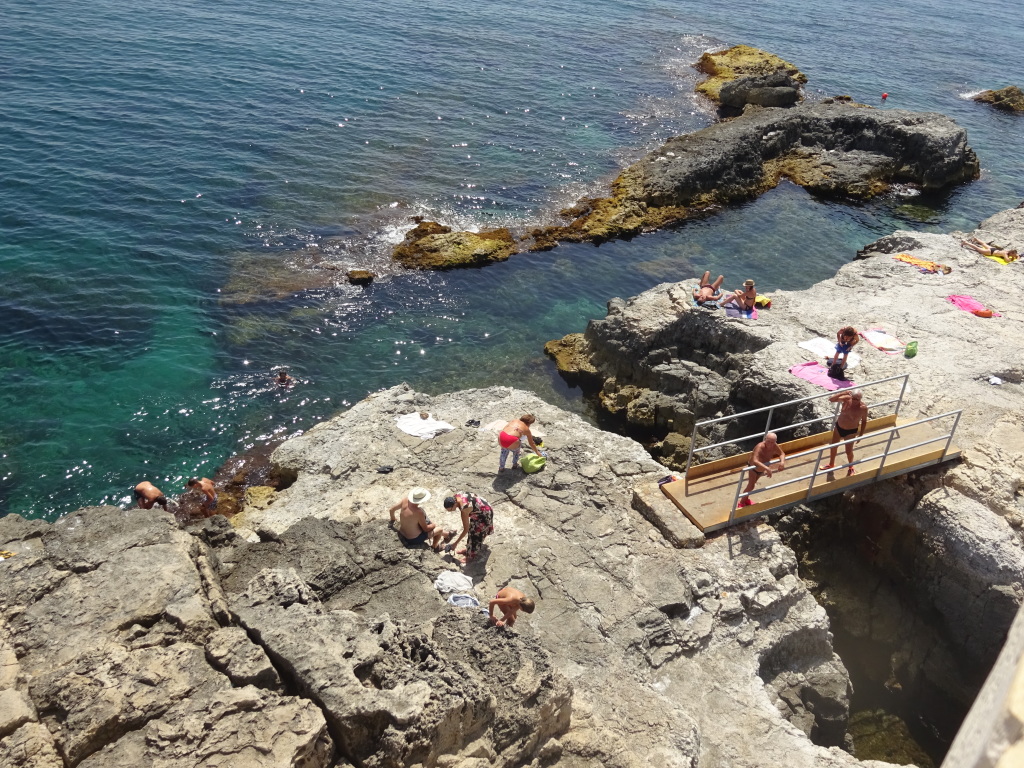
[{"x": 308, "y": 636}]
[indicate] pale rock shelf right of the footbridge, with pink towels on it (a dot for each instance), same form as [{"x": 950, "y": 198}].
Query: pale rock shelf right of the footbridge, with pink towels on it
[{"x": 957, "y": 537}]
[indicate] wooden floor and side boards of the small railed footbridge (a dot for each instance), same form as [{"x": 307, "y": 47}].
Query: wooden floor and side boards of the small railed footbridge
[{"x": 707, "y": 494}]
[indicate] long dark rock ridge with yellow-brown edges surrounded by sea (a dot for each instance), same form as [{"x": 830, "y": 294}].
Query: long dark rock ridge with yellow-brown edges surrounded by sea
[{"x": 834, "y": 149}]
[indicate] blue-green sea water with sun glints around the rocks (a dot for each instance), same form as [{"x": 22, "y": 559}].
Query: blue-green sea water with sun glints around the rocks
[{"x": 155, "y": 156}]
